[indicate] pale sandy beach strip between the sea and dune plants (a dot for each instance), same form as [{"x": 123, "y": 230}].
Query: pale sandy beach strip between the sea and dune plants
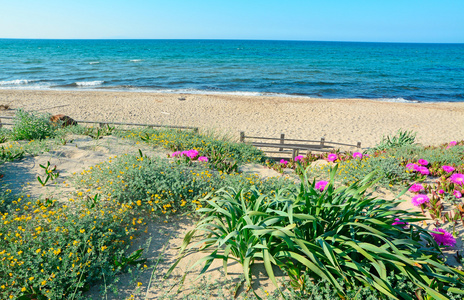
[{"x": 338, "y": 120}]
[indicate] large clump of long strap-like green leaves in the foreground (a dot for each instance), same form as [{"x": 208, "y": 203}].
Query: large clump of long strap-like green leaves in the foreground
[{"x": 335, "y": 234}]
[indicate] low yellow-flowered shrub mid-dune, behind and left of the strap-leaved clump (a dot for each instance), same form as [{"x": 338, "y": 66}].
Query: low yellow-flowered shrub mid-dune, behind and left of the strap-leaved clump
[{"x": 162, "y": 185}]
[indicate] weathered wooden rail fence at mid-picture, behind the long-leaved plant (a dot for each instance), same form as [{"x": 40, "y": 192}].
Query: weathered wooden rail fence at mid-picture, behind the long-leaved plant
[{"x": 295, "y": 145}]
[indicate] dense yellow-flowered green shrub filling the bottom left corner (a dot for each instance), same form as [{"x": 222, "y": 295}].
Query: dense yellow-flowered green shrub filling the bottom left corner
[{"x": 50, "y": 251}]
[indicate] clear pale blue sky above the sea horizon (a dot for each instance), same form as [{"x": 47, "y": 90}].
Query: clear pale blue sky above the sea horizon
[{"x": 323, "y": 20}]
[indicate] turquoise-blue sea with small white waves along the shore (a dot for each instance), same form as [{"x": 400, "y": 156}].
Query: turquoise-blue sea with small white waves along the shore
[{"x": 396, "y": 72}]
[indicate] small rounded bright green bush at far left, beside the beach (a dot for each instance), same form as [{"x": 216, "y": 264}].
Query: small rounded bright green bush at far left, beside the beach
[{"x": 32, "y": 126}]
